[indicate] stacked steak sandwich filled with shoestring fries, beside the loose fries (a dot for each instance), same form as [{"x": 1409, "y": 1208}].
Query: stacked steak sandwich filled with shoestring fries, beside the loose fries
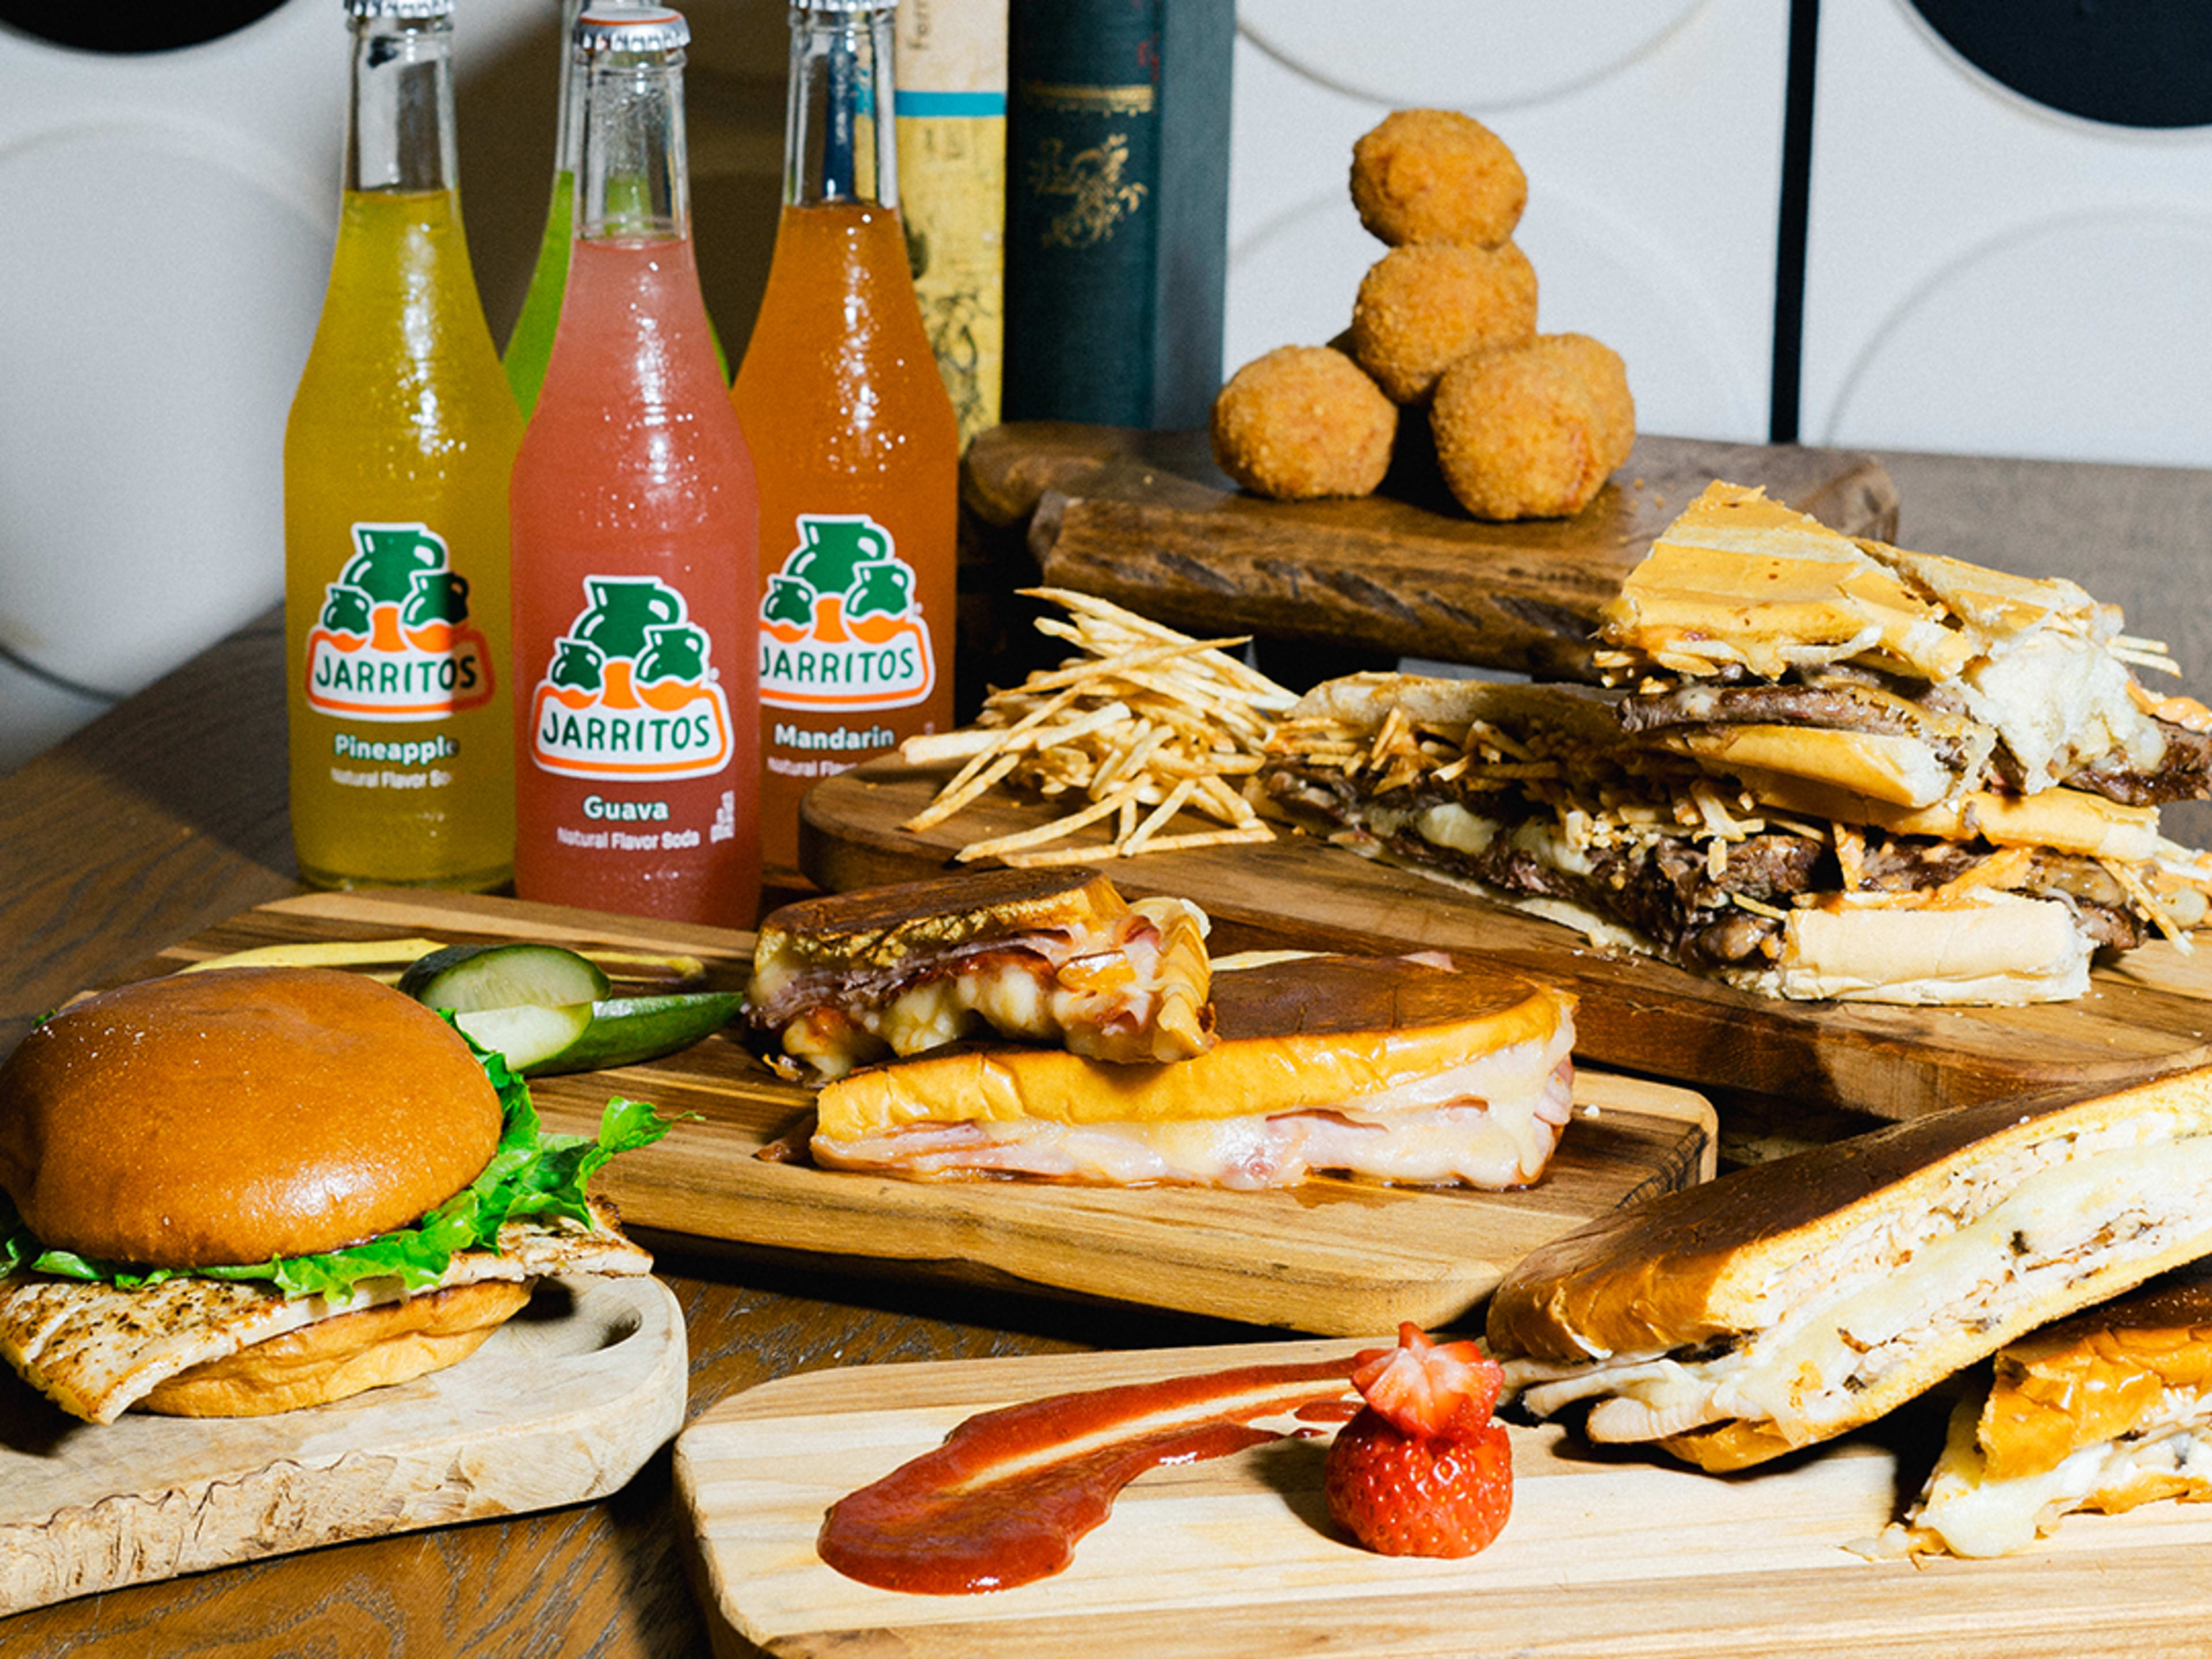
[{"x": 1844, "y": 771}]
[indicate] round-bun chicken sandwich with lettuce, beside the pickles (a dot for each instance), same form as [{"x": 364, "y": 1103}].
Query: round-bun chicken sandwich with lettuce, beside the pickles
[{"x": 258, "y": 1189}]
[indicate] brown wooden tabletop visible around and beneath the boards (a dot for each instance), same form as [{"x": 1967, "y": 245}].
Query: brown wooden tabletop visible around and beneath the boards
[{"x": 169, "y": 815}]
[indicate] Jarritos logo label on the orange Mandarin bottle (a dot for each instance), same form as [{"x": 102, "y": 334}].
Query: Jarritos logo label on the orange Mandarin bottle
[{"x": 842, "y": 629}]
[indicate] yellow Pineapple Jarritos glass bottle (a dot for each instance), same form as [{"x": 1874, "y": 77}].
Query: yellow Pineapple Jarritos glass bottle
[{"x": 395, "y": 463}]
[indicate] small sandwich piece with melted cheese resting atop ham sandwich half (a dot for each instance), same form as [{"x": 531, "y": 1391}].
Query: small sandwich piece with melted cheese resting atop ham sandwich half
[{"x": 1027, "y": 954}]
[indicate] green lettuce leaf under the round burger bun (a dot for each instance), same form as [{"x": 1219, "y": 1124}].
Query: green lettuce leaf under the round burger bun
[{"x": 532, "y": 1176}]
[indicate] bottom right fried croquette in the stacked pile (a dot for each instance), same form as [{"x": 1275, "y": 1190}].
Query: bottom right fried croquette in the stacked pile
[{"x": 1521, "y": 435}]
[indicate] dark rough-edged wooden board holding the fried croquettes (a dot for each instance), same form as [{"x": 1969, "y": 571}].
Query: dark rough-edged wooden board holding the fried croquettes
[{"x": 1145, "y": 521}]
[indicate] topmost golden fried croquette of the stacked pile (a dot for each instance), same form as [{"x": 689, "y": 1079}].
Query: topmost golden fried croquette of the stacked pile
[{"x": 1437, "y": 176}]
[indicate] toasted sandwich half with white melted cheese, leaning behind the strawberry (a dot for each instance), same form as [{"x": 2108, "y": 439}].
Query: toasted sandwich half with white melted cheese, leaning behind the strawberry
[{"x": 1797, "y": 1300}]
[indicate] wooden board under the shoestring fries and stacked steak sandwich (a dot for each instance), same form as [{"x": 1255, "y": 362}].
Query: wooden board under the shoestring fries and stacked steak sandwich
[{"x": 2147, "y": 1016}]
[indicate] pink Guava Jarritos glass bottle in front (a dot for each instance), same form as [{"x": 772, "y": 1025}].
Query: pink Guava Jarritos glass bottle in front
[{"x": 636, "y": 532}]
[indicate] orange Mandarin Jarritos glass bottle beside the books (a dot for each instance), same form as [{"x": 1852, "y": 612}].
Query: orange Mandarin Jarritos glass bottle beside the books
[{"x": 853, "y": 435}]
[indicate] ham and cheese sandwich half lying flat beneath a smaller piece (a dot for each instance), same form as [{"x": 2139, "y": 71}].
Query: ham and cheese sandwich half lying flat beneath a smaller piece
[{"x": 1388, "y": 1070}]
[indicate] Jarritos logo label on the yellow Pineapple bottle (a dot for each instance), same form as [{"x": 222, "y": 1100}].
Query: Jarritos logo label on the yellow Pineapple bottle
[{"x": 395, "y": 638}]
